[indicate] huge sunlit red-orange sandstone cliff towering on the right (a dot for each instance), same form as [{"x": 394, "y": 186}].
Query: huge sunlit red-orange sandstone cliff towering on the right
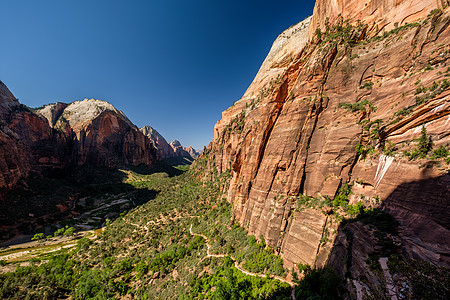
[{"x": 343, "y": 108}]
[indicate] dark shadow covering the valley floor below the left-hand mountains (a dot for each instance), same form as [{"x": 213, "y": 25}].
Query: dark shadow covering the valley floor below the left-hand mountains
[{"x": 62, "y": 194}]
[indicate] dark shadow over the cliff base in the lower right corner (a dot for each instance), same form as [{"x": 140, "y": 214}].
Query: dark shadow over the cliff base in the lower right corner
[{"x": 411, "y": 232}]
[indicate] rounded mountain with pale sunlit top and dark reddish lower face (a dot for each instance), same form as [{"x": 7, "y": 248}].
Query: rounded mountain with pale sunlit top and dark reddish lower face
[{"x": 105, "y": 136}]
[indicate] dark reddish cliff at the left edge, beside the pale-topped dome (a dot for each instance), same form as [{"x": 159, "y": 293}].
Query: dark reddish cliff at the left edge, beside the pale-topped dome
[{"x": 28, "y": 142}]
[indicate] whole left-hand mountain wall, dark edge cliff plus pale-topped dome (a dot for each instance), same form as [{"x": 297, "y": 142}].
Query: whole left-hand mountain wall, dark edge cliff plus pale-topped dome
[{"x": 60, "y": 135}]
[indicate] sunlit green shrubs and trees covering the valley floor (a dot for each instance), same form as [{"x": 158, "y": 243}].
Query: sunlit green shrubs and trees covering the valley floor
[{"x": 149, "y": 252}]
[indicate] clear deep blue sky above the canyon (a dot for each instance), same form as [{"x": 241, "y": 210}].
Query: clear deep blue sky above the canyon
[{"x": 174, "y": 65}]
